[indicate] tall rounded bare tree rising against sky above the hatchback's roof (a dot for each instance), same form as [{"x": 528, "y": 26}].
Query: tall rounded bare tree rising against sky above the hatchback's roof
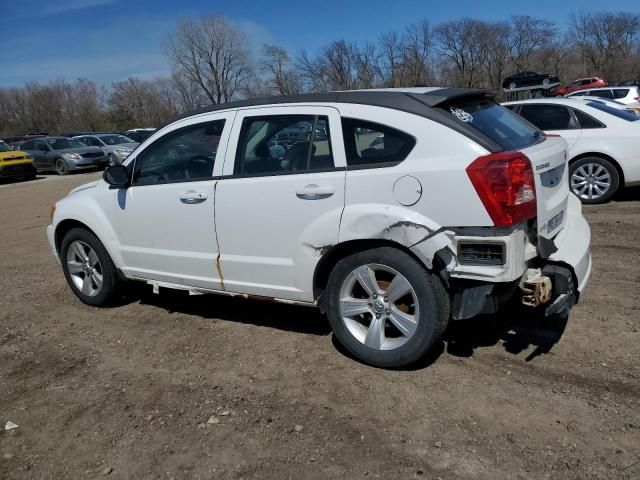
[{"x": 211, "y": 52}]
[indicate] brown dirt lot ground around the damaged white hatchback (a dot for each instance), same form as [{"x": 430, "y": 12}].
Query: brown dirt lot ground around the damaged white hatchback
[{"x": 126, "y": 392}]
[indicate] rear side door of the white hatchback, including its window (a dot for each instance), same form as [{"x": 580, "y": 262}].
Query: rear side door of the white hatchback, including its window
[{"x": 280, "y": 200}]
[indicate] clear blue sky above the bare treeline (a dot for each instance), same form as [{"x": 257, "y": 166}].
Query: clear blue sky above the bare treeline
[{"x": 110, "y": 40}]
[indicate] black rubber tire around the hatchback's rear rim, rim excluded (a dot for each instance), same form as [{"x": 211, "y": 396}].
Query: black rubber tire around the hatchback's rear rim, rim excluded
[{"x": 432, "y": 298}]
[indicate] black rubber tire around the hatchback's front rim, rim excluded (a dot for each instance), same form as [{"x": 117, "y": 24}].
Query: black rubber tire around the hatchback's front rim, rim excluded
[{"x": 109, "y": 273}]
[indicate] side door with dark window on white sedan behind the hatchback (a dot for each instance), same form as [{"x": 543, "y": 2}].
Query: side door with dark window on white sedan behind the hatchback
[{"x": 554, "y": 119}]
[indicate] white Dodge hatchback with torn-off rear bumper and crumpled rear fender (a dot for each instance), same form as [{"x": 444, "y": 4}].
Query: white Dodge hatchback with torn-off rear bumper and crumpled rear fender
[{"x": 391, "y": 210}]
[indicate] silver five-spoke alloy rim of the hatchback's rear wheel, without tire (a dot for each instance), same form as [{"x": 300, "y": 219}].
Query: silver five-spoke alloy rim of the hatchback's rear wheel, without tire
[{"x": 379, "y": 307}]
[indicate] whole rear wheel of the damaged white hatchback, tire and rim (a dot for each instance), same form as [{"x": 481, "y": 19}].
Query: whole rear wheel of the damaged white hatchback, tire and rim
[{"x": 385, "y": 308}]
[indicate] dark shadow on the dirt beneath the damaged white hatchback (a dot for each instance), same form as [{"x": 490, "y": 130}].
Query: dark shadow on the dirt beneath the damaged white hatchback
[{"x": 515, "y": 328}]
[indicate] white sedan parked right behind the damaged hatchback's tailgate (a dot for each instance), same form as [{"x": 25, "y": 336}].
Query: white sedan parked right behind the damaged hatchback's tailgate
[{"x": 603, "y": 141}]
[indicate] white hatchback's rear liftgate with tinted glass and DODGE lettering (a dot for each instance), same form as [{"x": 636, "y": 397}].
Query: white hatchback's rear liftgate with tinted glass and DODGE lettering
[{"x": 504, "y": 130}]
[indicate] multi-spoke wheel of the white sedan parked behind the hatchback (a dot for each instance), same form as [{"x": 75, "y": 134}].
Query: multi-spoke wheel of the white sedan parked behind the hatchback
[{"x": 594, "y": 179}]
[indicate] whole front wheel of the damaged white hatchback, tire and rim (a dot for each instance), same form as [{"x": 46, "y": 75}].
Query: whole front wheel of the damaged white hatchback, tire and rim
[{"x": 88, "y": 268}]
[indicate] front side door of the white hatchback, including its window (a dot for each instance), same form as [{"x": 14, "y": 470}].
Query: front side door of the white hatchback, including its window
[{"x": 165, "y": 220}]
